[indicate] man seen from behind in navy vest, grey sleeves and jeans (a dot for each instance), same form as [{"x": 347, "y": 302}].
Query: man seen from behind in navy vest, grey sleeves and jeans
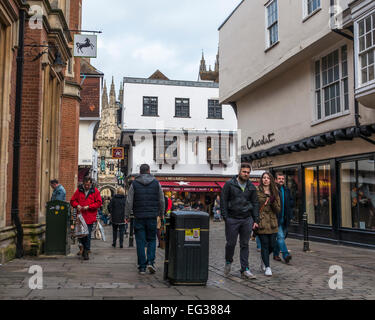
[{"x": 145, "y": 201}]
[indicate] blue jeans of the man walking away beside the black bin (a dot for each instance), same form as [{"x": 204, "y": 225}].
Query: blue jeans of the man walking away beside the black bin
[{"x": 145, "y": 234}]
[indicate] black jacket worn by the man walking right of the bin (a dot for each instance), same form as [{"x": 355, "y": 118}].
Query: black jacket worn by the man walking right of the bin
[{"x": 239, "y": 204}]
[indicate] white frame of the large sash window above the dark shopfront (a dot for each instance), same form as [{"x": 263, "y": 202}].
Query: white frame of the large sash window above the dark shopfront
[{"x": 343, "y": 111}]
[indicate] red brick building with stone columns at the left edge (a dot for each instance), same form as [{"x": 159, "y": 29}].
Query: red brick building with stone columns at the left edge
[{"x": 46, "y": 96}]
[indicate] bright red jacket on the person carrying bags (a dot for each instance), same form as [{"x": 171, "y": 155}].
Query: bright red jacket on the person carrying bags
[{"x": 93, "y": 200}]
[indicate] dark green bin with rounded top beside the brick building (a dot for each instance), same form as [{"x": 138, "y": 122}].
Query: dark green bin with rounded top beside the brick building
[{"x": 57, "y": 228}]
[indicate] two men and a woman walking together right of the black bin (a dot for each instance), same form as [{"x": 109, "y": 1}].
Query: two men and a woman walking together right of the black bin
[{"x": 266, "y": 210}]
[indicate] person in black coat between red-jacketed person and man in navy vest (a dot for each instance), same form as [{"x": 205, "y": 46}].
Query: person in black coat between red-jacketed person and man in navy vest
[{"x": 116, "y": 208}]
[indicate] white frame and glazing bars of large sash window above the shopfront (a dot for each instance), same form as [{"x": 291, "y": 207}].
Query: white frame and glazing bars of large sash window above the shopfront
[{"x": 343, "y": 82}]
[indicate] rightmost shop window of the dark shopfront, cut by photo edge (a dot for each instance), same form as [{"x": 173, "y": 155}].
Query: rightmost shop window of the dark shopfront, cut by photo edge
[{"x": 357, "y": 183}]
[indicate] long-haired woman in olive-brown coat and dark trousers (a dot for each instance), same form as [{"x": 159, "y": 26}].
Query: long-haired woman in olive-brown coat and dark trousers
[{"x": 269, "y": 203}]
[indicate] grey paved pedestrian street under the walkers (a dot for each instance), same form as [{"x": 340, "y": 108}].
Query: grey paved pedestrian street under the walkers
[{"x": 111, "y": 273}]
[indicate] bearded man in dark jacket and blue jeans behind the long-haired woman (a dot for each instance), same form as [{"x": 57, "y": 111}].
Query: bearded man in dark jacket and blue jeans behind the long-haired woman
[{"x": 286, "y": 214}]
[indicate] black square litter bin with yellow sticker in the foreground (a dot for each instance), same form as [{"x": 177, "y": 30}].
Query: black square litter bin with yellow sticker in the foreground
[{"x": 187, "y": 248}]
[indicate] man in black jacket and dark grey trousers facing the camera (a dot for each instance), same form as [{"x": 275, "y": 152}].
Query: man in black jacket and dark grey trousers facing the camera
[{"x": 240, "y": 211}]
